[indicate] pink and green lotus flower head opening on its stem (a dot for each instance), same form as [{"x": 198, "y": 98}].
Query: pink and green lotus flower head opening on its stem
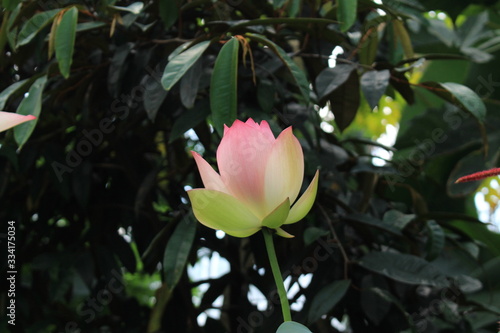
[{"x": 258, "y": 183}]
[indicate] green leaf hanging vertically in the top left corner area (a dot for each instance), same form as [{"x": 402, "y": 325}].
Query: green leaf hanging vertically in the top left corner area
[{"x": 65, "y": 40}]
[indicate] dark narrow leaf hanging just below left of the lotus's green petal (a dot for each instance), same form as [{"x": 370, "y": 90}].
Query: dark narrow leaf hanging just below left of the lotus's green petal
[{"x": 177, "y": 250}]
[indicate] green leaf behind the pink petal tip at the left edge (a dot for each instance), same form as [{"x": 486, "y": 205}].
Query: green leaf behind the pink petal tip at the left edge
[{"x": 31, "y": 104}]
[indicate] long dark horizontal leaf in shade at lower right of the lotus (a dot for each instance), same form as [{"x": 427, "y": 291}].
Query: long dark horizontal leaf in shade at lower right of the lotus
[{"x": 404, "y": 268}]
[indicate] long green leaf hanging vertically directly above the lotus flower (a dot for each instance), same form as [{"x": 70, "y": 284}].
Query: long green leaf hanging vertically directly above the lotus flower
[{"x": 224, "y": 87}]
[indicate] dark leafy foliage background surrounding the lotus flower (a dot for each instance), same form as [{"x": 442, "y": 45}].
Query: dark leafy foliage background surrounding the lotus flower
[{"x": 97, "y": 185}]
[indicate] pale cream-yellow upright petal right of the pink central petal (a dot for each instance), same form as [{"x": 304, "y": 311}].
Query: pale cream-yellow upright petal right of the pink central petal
[{"x": 284, "y": 170}]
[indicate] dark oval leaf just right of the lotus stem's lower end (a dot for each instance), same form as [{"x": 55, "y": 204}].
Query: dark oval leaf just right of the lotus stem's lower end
[{"x": 326, "y": 299}]
